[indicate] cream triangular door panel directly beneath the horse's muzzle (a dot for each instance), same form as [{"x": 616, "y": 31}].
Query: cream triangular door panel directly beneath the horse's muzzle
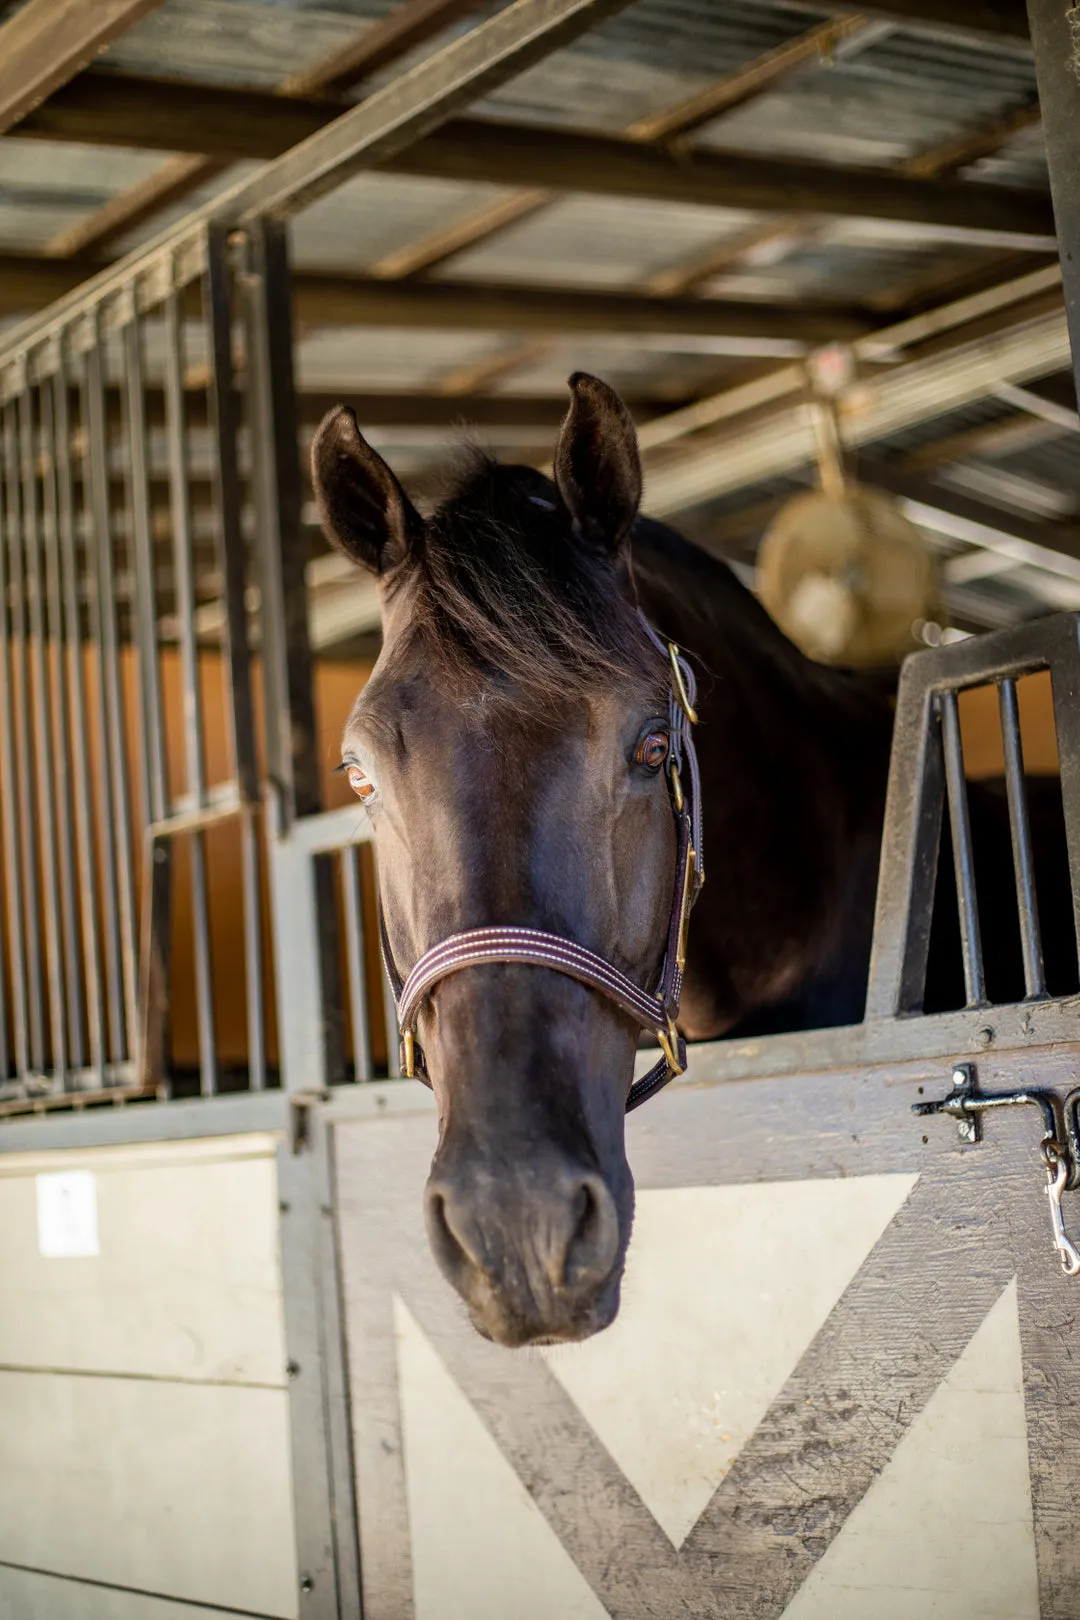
[{"x": 686, "y": 1375}]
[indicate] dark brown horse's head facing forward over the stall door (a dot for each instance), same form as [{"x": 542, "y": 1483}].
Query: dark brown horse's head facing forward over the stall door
[{"x": 511, "y": 749}]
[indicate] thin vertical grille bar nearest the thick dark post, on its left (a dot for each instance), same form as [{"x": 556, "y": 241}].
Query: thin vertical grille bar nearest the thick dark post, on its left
[{"x": 184, "y": 573}]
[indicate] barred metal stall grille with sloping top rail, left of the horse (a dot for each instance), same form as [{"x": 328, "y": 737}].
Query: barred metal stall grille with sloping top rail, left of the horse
[{"x": 151, "y": 513}]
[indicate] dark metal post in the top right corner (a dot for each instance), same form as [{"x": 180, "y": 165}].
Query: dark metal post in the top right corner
[{"x": 1058, "y": 75}]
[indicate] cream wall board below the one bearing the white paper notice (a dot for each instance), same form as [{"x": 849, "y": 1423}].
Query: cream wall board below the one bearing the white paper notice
[{"x": 179, "y": 1490}]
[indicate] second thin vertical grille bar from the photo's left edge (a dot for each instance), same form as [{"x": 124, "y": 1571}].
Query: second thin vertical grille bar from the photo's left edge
[{"x": 45, "y": 743}]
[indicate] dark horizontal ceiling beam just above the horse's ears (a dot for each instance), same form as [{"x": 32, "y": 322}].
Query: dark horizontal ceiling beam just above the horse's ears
[{"x": 355, "y": 301}]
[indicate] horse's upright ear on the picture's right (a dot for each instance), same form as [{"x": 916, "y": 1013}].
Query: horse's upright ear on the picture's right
[{"x": 598, "y": 469}]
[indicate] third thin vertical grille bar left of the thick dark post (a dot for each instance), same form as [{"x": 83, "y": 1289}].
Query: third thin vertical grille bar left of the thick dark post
[{"x": 116, "y": 799}]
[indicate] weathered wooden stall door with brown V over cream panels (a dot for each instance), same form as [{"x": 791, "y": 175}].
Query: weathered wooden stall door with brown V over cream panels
[{"x": 841, "y": 1384}]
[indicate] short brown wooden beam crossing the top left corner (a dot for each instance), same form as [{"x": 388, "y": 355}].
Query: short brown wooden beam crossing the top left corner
[{"x": 51, "y": 41}]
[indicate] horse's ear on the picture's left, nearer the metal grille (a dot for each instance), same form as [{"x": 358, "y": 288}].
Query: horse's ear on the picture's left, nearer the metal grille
[{"x": 364, "y": 508}]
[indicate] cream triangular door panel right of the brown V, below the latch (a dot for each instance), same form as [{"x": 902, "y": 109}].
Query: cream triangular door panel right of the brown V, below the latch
[{"x": 946, "y": 1530}]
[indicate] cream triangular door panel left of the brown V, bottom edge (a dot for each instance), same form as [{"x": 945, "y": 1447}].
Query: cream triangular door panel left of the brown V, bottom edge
[{"x": 482, "y": 1548}]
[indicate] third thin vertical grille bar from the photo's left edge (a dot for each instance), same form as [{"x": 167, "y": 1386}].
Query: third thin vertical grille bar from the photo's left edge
[{"x": 61, "y": 733}]
